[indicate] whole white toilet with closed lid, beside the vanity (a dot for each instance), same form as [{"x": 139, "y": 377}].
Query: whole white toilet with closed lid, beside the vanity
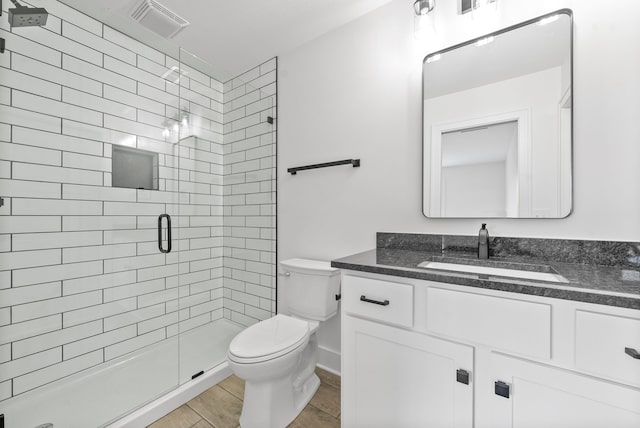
[{"x": 277, "y": 357}]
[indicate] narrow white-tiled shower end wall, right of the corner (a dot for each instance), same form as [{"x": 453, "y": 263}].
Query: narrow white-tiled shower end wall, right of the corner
[{"x": 249, "y": 189}]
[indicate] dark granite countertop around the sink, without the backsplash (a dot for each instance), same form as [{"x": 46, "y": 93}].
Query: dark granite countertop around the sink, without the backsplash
[{"x": 605, "y": 285}]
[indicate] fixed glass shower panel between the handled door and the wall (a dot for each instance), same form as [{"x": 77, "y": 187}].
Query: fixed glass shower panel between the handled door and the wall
[{"x": 227, "y": 252}]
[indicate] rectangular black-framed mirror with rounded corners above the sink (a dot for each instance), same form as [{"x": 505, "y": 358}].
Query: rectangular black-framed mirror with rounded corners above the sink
[{"x": 497, "y": 123}]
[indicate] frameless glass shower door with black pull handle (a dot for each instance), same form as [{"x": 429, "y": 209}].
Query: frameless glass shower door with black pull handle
[{"x": 89, "y": 179}]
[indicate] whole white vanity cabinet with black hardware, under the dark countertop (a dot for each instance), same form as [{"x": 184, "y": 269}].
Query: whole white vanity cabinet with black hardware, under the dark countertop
[{"x": 408, "y": 346}]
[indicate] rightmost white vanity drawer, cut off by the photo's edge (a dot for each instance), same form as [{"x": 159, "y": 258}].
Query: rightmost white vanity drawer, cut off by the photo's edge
[{"x": 600, "y": 346}]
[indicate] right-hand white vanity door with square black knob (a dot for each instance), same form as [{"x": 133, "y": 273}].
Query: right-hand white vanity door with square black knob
[{"x": 544, "y": 396}]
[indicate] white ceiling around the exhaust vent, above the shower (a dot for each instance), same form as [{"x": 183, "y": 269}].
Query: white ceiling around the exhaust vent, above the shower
[{"x": 233, "y": 36}]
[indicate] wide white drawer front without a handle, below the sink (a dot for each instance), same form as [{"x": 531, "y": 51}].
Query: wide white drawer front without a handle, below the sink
[{"x": 504, "y": 324}]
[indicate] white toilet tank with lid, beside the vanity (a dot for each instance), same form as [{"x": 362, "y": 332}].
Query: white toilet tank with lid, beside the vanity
[{"x": 310, "y": 288}]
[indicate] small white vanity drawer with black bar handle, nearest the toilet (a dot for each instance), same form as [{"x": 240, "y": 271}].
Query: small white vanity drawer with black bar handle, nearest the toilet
[{"x": 385, "y": 301}]
